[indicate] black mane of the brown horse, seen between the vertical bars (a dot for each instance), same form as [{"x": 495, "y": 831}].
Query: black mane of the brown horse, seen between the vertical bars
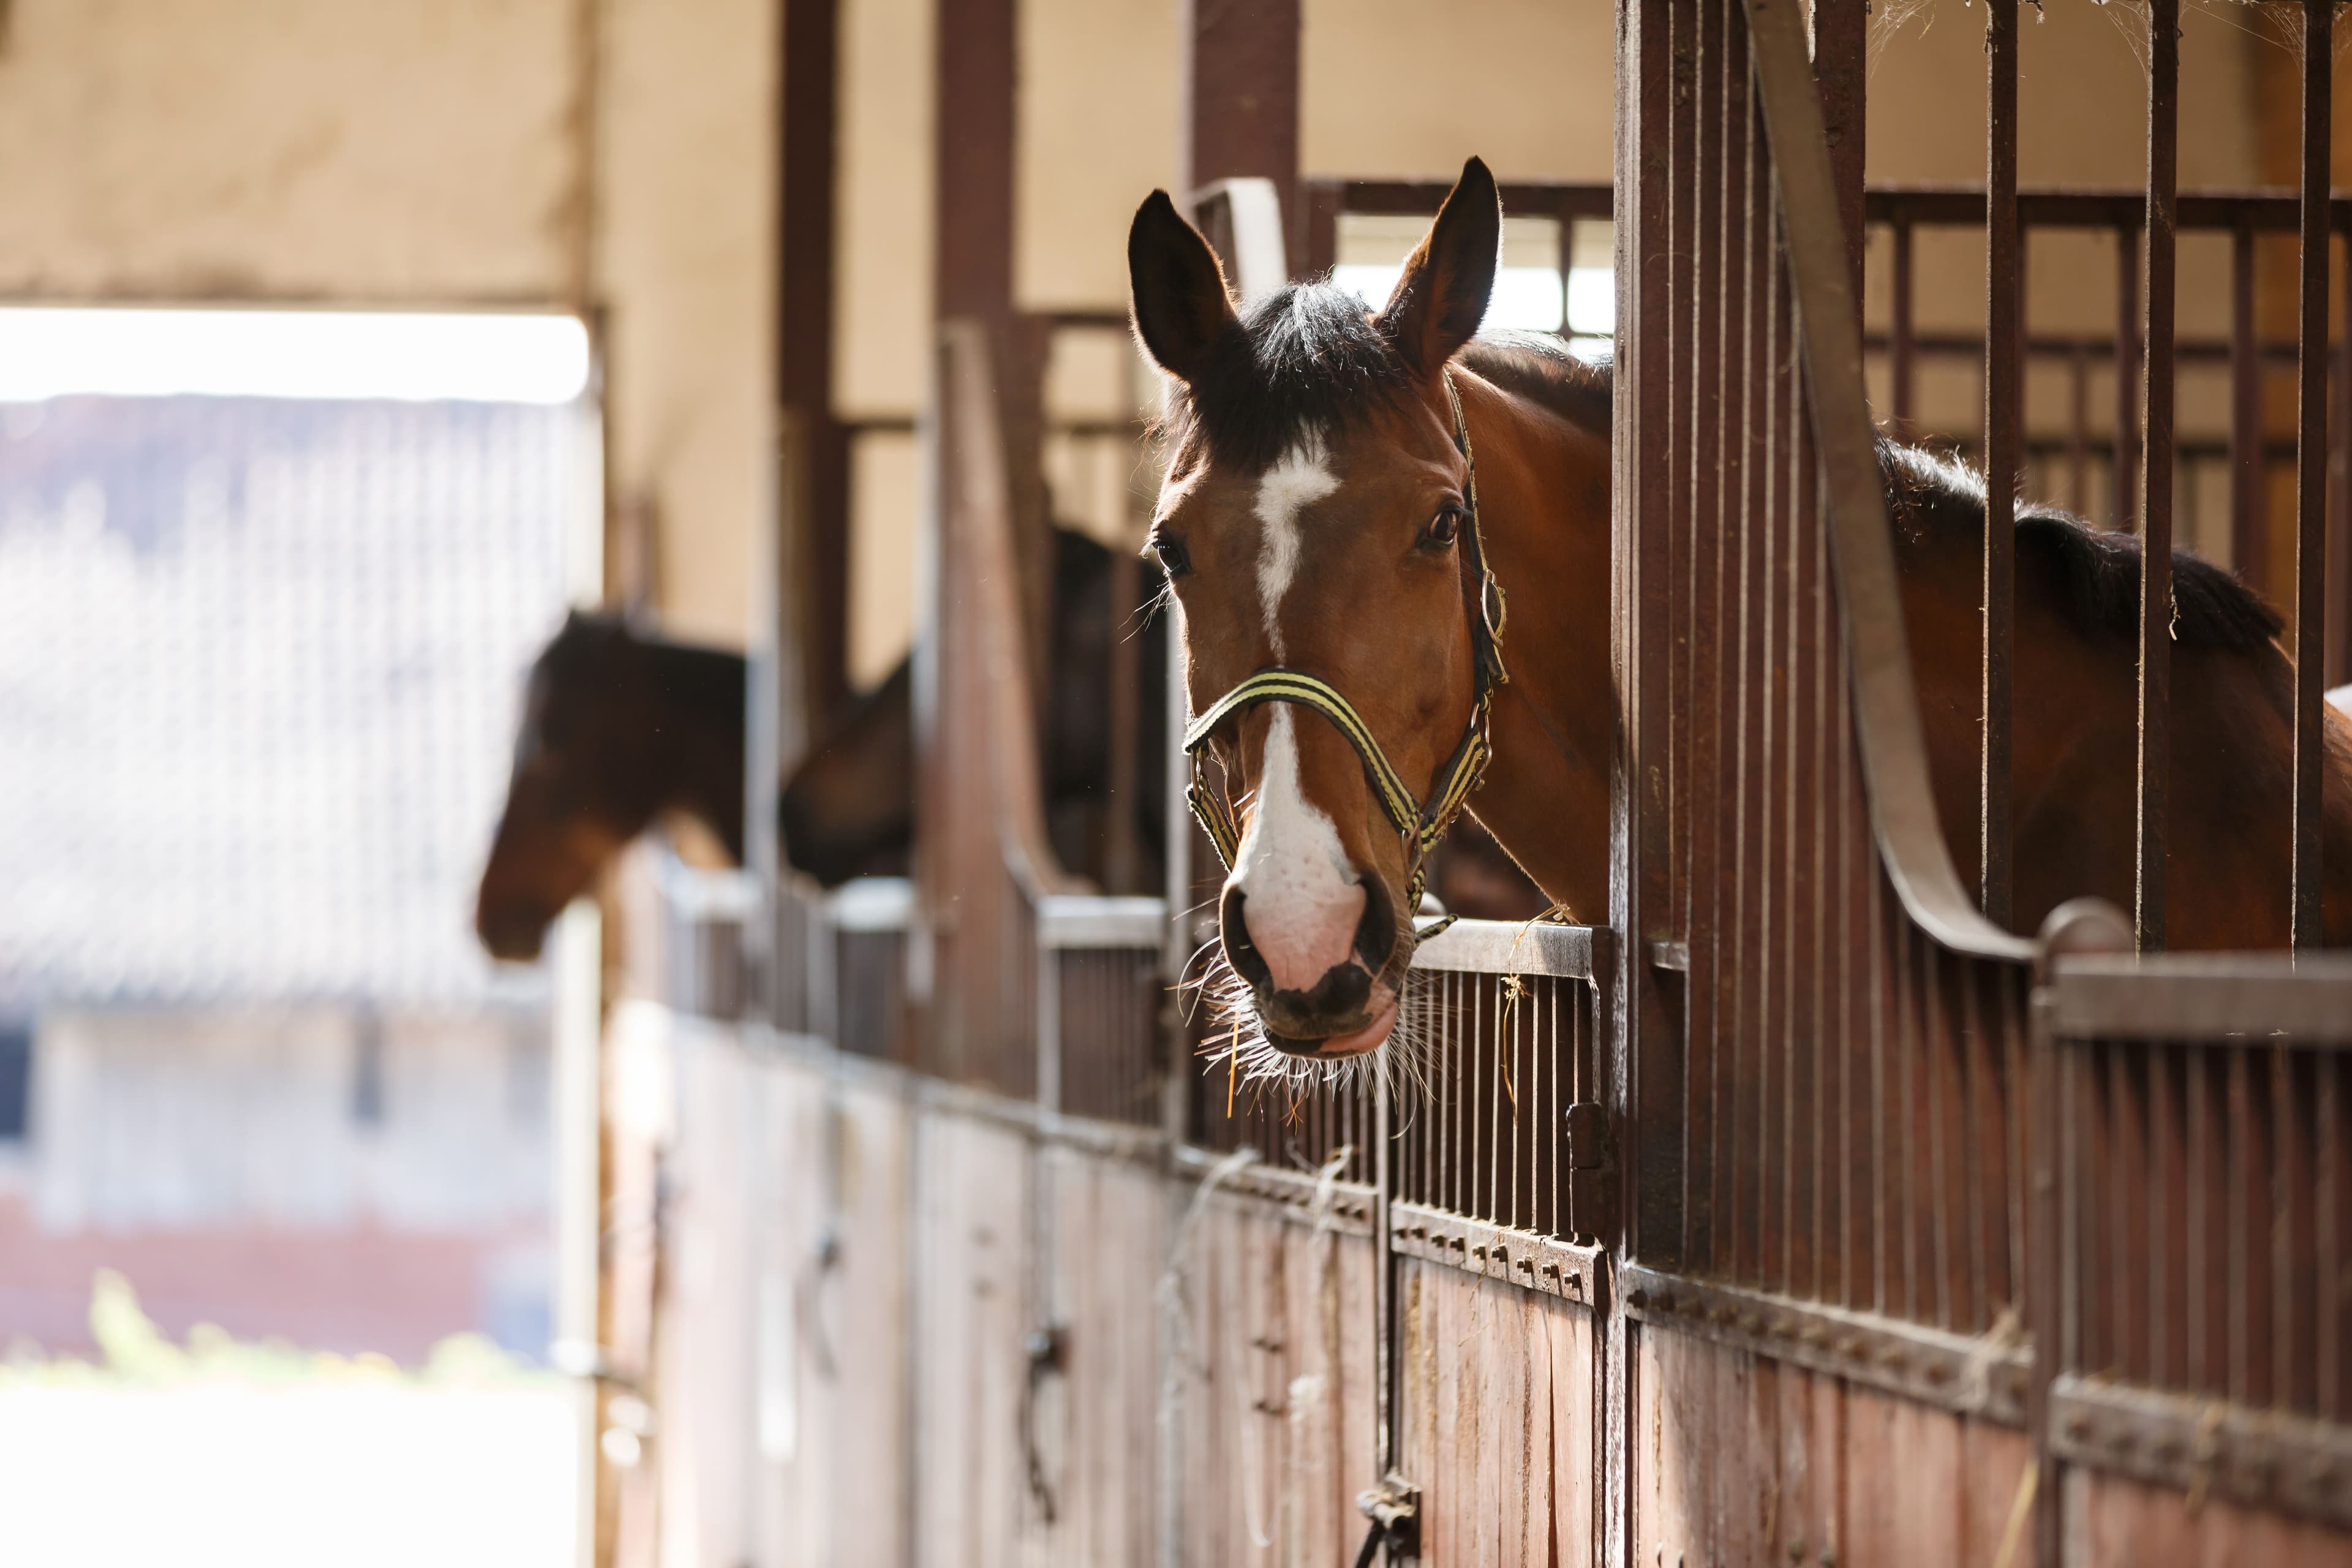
[{"x": 2097, "y": 575}]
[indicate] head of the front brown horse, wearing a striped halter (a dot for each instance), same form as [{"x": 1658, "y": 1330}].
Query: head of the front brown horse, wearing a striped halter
[{"x": 1337, "y": 622}]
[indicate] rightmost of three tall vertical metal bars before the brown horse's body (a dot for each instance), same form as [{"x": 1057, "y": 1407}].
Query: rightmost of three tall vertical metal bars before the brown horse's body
[{"x": 2313, "y": 469}]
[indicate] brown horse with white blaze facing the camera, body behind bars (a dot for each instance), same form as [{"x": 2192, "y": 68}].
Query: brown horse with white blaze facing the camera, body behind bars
[{"x": 1318, "y": 518}]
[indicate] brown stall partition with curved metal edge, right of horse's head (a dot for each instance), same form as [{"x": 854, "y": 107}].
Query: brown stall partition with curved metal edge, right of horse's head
[{"x": 1829, "y": 1040}]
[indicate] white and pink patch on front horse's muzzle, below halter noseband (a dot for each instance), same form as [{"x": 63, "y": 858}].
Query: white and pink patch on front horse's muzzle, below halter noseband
[{"x": 1302, "y": 899}]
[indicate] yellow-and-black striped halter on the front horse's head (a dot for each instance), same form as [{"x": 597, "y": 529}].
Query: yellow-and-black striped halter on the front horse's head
[{"x": 1419, "y": 822}]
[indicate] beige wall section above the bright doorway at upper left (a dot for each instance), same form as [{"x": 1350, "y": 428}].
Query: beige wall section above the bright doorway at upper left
[{"x": 288, "y": 149}]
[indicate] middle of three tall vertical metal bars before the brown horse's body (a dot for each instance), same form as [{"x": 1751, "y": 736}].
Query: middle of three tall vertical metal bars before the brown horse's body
[{"x": 2158, "y": 467}]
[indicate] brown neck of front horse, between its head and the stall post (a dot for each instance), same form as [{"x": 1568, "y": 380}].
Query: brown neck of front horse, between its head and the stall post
[{"x": 1544, "y": 518}]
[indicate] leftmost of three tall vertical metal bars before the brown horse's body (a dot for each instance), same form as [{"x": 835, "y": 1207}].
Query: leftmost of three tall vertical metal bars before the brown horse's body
[{"x": 2003, "y": 387}]
